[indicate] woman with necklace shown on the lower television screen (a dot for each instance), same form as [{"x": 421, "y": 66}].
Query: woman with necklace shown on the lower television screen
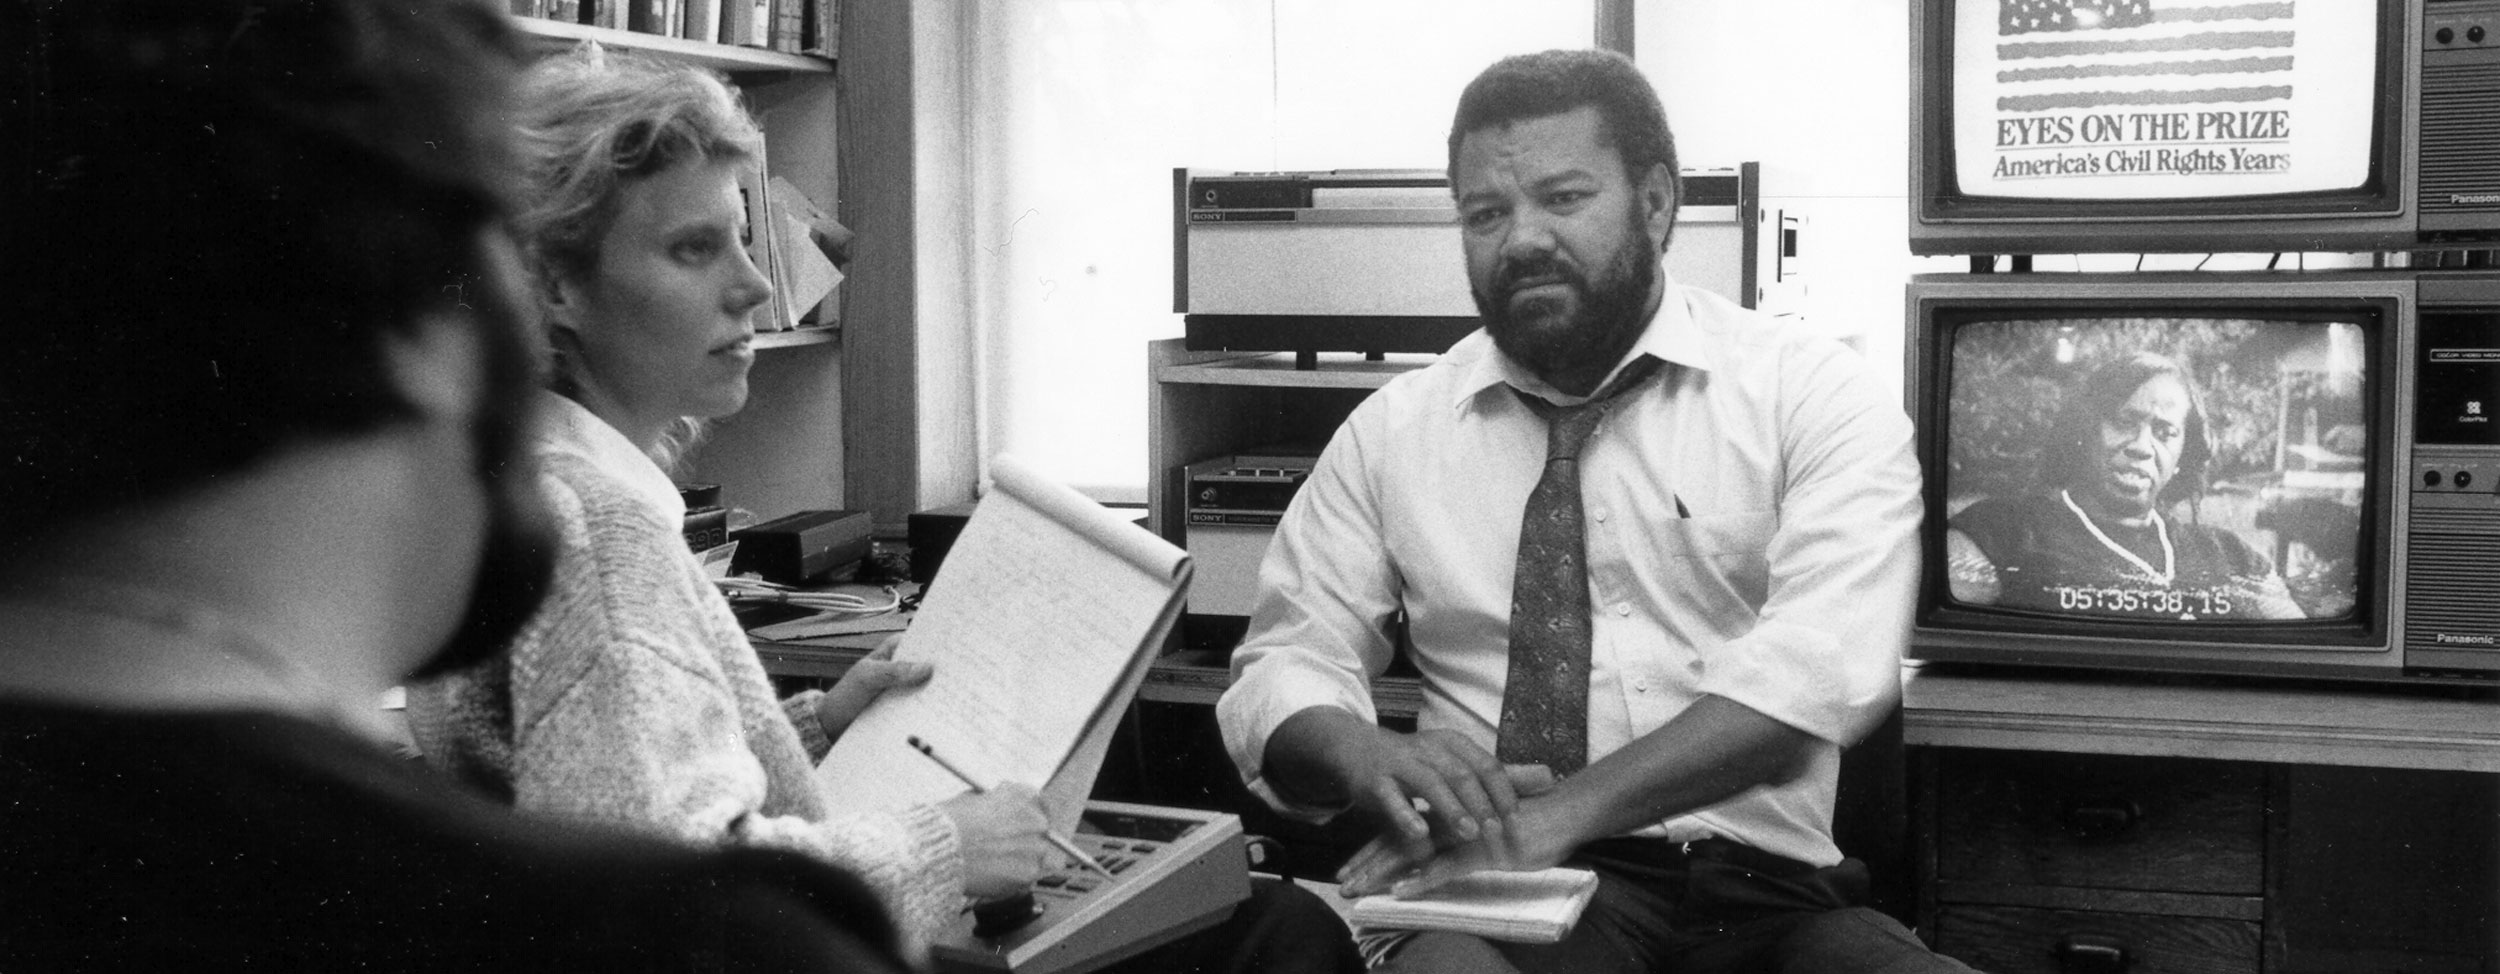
[{"x": 2099, "y": 538}]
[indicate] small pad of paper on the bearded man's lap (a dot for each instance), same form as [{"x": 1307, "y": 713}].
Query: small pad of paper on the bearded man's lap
[{"x": 1529, "y": 908}]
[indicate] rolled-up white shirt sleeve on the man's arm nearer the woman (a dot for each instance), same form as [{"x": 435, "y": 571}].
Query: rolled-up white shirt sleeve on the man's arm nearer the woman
[{"x": 1319, "y": 631}]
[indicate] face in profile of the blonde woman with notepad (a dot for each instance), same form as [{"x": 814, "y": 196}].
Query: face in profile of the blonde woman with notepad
[{"x": 666, "y": 318}]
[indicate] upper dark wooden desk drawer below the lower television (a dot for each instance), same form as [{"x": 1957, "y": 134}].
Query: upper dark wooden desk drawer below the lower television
[{"x": 2096, "y": 820}]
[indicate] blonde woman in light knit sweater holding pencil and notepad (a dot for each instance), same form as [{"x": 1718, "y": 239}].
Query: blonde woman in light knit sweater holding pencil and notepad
[{"x": 634, "y": 696}]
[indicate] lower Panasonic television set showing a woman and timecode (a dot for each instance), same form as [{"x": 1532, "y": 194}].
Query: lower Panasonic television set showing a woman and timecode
[{"x": 2229, "y": 473}]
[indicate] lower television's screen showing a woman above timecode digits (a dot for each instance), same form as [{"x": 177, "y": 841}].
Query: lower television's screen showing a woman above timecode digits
[{"x": 2199, "y": 471}]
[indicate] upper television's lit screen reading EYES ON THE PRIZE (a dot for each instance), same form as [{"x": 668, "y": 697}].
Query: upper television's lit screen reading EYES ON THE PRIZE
[{"x": 2164, "y": 99}]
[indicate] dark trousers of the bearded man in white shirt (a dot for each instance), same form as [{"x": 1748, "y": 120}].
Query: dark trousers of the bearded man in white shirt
[{"x": 1719, "y": 908}]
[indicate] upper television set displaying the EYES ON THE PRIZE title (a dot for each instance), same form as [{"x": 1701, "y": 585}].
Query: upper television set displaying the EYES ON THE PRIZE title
[{"x": 2204, "y": 126}]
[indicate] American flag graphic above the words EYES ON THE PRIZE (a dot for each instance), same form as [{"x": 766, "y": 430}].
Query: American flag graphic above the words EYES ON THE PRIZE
[{"x": 2126, "y": 54}]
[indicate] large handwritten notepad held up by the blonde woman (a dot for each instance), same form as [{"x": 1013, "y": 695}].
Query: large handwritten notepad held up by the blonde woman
[{"x": 1039, "y": 631}]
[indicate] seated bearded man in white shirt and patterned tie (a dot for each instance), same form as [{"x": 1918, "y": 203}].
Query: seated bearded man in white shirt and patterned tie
[{"x": 1736, "y": 571}]
